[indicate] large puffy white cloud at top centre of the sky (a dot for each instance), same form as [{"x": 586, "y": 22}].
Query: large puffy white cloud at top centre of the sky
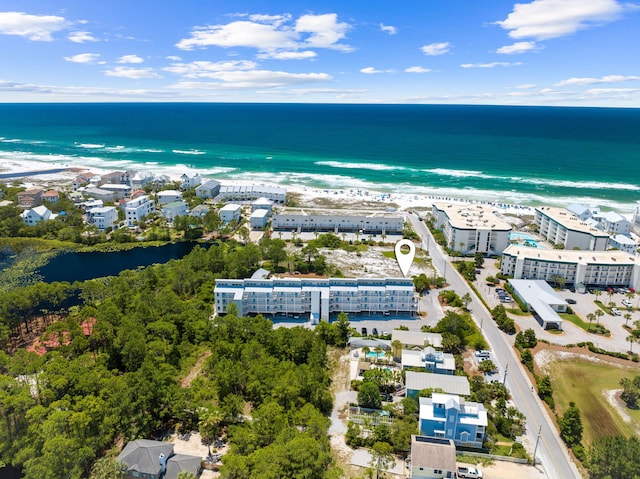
[{"x": 268, "y": 33}]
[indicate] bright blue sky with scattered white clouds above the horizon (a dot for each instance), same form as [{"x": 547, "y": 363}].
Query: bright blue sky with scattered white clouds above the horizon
[{"x": 537, "y": 52}]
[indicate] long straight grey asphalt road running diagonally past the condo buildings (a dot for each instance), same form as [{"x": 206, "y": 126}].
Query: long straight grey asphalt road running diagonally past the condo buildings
[{"x": 551, "y": 451}]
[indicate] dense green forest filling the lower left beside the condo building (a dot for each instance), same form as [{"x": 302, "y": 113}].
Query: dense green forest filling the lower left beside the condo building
[{"x": 62, "y": 411}]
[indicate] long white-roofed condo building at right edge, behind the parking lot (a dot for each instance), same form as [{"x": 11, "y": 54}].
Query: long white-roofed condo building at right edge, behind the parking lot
[{"x": 591, "y": 268}]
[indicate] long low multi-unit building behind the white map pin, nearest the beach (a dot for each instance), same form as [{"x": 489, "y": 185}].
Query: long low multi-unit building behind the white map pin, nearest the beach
[{"x": 375, "y": 224}]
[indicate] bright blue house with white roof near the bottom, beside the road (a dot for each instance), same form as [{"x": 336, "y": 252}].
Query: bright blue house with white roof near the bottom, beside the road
[{"x": 449, "y": 416}]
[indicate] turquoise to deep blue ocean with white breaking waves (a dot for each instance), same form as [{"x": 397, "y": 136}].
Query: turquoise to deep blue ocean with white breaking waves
[{"x": 507, "y": 154}]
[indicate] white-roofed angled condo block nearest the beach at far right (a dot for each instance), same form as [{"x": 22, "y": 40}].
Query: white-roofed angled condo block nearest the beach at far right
[{"x": 560, "y": 227}]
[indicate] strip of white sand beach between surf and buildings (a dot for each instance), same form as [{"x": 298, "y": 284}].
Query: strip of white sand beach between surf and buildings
[{"x": 38, "y": 173}]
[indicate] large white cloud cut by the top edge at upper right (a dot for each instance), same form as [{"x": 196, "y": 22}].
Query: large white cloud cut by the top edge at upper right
[{"x": 545, "y": 19}]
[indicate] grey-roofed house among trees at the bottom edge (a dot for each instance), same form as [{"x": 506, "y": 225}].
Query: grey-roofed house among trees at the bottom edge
[{"x": 149, "y": 459}]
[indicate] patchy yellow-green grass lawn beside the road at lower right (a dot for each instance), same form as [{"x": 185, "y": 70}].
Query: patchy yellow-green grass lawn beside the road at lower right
[{"x": 584, "y": 382}]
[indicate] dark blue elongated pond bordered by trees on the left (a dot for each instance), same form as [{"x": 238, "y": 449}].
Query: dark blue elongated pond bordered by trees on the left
[{"x": 83, "y": 266}]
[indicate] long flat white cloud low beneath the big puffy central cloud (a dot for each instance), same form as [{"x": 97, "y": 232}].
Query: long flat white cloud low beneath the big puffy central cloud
[{"x": 253, "y": 79}]
